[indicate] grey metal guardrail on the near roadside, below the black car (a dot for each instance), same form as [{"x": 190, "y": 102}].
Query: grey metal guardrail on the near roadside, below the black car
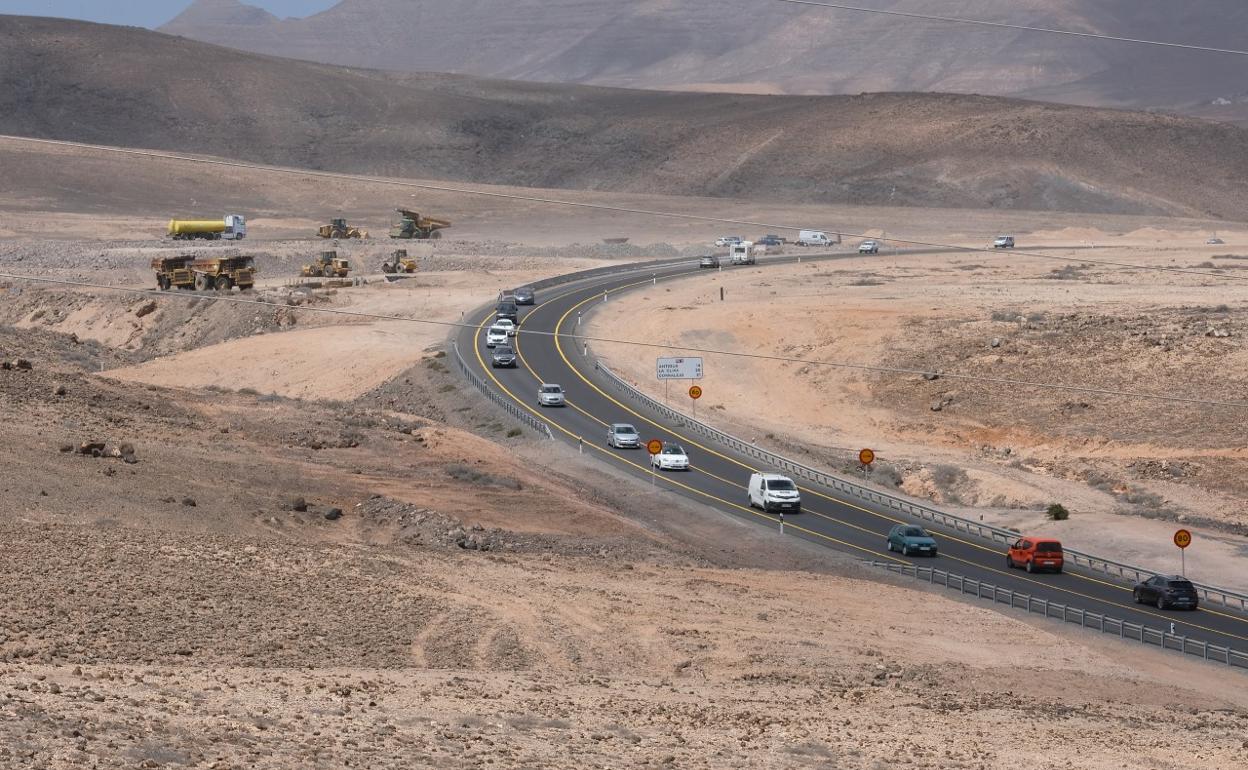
[{"x": 1124, "y": 630}]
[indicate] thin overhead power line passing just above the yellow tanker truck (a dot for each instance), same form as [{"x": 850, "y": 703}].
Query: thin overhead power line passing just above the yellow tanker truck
[{"x": 532, "y": 199}]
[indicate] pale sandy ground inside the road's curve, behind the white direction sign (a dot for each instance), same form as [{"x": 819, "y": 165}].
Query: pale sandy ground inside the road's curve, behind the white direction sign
[{"x": 1128, "y": 469}]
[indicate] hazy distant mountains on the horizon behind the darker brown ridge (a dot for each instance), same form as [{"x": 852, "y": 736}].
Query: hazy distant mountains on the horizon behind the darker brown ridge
[{"x": 761, "y": 46}]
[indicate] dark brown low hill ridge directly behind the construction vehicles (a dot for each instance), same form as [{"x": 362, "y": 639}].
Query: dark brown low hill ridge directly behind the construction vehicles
[{"x": 128, "y": 87}]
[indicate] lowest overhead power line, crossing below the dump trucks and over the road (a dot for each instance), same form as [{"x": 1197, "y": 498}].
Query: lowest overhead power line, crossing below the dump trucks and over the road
[{"x": 997, "y": 381}]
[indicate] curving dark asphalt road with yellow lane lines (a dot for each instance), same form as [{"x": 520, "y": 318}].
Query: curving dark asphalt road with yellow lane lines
[{"x": 719, "y": 477}]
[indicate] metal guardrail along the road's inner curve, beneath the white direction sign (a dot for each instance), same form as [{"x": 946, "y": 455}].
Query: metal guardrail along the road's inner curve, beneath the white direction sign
[{"x": 1227, "y": 598}]
